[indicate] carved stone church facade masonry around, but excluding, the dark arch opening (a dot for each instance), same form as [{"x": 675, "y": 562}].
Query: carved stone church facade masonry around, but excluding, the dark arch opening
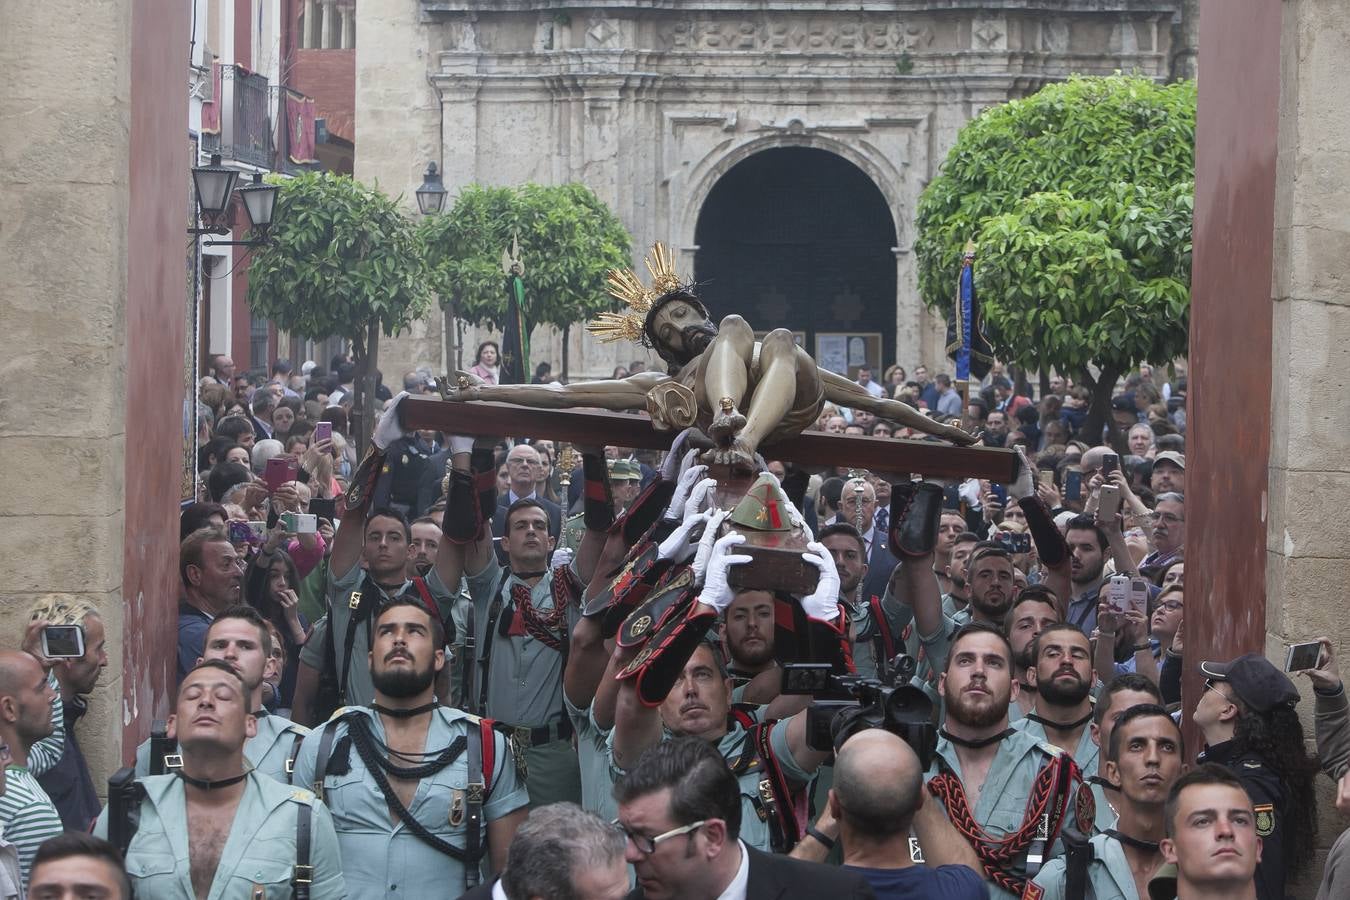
[{"x": 651, "y": 103}]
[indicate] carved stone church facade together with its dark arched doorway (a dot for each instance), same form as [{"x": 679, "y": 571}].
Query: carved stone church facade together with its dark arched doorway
[{"x": 778, "y": 146}]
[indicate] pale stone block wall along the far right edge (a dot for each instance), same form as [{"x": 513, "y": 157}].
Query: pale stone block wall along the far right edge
[{"x": 1309, "y": 554}]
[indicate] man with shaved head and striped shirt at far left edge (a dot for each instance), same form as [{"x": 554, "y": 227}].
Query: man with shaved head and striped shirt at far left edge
[{"x": 33, "y": 725}]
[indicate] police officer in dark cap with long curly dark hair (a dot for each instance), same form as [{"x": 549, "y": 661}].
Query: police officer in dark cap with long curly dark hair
[{"x": 1248, "y": 717}]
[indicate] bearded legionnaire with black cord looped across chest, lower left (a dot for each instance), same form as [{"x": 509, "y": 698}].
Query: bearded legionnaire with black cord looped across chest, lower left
[{"x": 418, "y": 790}]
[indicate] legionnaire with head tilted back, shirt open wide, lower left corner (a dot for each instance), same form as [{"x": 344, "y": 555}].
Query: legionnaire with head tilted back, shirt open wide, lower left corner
[{"x": 217, "y": 829}]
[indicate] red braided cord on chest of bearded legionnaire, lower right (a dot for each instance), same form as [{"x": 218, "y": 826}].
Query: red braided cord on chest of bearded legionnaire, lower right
[{"x": 997, "y": 855}]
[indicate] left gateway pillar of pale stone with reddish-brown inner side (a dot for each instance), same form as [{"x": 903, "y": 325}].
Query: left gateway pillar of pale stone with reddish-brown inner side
[{"x": 94, "y": 295}]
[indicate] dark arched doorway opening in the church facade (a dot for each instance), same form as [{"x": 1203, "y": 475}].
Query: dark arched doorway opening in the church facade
[{"x": 801, "y": 238}]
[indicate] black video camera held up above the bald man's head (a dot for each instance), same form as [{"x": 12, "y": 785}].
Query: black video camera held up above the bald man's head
[{"x": 846, "y": 705}]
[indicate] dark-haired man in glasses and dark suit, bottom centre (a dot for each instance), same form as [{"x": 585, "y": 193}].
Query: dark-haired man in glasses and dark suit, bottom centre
[{"x": 681, "y": 812}]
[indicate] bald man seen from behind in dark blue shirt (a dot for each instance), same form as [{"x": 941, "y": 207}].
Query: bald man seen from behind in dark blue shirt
[{"x": 878, "y": 797}]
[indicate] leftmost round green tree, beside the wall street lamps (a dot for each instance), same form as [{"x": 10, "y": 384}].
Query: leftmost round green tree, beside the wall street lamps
[{"x": 342, "y": 261}]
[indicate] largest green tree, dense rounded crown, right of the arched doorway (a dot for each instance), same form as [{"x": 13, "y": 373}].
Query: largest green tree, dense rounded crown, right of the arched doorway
[{"x": 1079, "y": 199}]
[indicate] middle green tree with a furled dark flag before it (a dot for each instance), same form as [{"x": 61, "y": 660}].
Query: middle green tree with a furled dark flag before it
[{"x": 569, "y": 241}]
